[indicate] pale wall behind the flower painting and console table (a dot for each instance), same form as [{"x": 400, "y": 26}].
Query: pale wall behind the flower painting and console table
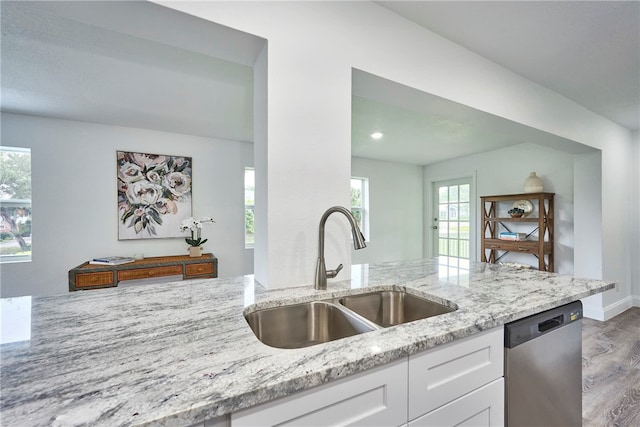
[{"x": 74, "y": 192}]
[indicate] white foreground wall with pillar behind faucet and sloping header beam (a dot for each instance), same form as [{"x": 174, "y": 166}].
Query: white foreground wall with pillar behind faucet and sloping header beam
[{"x": 312, "y": 48}]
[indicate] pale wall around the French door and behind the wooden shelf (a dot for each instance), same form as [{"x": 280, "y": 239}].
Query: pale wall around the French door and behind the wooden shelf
[{"x": 503, "y": 172}]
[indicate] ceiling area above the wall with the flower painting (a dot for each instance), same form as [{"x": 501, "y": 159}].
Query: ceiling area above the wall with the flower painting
[{"x": 132, "y": 64}]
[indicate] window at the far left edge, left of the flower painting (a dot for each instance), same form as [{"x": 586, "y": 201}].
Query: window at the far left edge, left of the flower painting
[{"x": 15, "y": 204}]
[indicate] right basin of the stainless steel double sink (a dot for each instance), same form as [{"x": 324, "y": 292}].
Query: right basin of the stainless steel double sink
[{"x": 389, "y": 308}]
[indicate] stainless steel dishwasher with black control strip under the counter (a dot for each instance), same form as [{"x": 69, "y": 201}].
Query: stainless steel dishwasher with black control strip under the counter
[{"x": 543, "y": 369}]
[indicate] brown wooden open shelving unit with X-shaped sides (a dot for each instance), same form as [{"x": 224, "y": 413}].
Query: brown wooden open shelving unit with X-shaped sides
[{"x": 495, "y": 219}]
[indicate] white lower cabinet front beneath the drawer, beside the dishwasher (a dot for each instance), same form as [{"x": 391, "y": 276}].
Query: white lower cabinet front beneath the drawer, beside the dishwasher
[{"x": 483, "y": 407}]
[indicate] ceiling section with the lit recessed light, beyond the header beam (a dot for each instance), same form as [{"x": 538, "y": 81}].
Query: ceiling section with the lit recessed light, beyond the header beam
[{"x": 421, "y": 128}]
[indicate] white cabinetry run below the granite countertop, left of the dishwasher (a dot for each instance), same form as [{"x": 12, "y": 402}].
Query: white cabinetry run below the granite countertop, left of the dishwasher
[{"x": 457, "y": 384}]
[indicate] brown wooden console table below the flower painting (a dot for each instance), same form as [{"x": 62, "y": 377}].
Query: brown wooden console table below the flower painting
[{"x": 93, "y": 276}]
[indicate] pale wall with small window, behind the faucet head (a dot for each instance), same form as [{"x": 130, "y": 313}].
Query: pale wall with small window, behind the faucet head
[{"x": 395, "y": 208}]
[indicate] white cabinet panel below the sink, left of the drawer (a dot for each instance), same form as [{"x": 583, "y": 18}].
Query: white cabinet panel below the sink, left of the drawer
[{"x": 374, "y": 397}]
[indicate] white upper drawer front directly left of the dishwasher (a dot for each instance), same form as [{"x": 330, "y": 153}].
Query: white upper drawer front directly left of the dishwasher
[{"x": 441, "y": 375}]
